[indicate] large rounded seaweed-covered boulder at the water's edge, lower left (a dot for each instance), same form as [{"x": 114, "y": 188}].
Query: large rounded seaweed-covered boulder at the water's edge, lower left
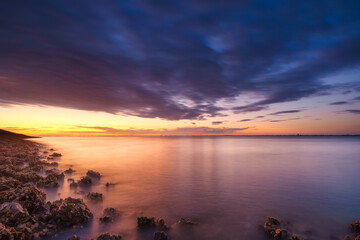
[{"x": 68, "y": 212}]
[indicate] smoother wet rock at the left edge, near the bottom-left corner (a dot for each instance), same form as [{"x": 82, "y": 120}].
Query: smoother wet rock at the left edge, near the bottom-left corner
[{"x": 13, "y": 214}]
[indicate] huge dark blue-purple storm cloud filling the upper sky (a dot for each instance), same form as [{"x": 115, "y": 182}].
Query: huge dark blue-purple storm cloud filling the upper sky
[{"x": 172, "y": 59}]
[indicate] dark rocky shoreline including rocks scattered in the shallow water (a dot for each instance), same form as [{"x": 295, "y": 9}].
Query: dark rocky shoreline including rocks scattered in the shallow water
[{"x": 25, "y": 213}]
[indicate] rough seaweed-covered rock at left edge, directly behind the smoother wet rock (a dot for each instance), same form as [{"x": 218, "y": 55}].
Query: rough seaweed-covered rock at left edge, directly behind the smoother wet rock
[{"x": 29, "y": 196}]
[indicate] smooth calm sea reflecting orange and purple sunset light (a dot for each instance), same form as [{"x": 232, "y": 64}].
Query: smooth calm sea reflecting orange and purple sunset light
[{"x": 228, "y": 184}]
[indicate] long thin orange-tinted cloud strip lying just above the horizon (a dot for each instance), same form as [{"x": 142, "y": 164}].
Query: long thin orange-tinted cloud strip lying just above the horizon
[{"x": 176, "y": 131}]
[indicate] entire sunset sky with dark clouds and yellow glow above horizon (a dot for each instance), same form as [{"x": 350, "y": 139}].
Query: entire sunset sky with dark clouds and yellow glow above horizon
[{"x": 190, "y": 67}]
